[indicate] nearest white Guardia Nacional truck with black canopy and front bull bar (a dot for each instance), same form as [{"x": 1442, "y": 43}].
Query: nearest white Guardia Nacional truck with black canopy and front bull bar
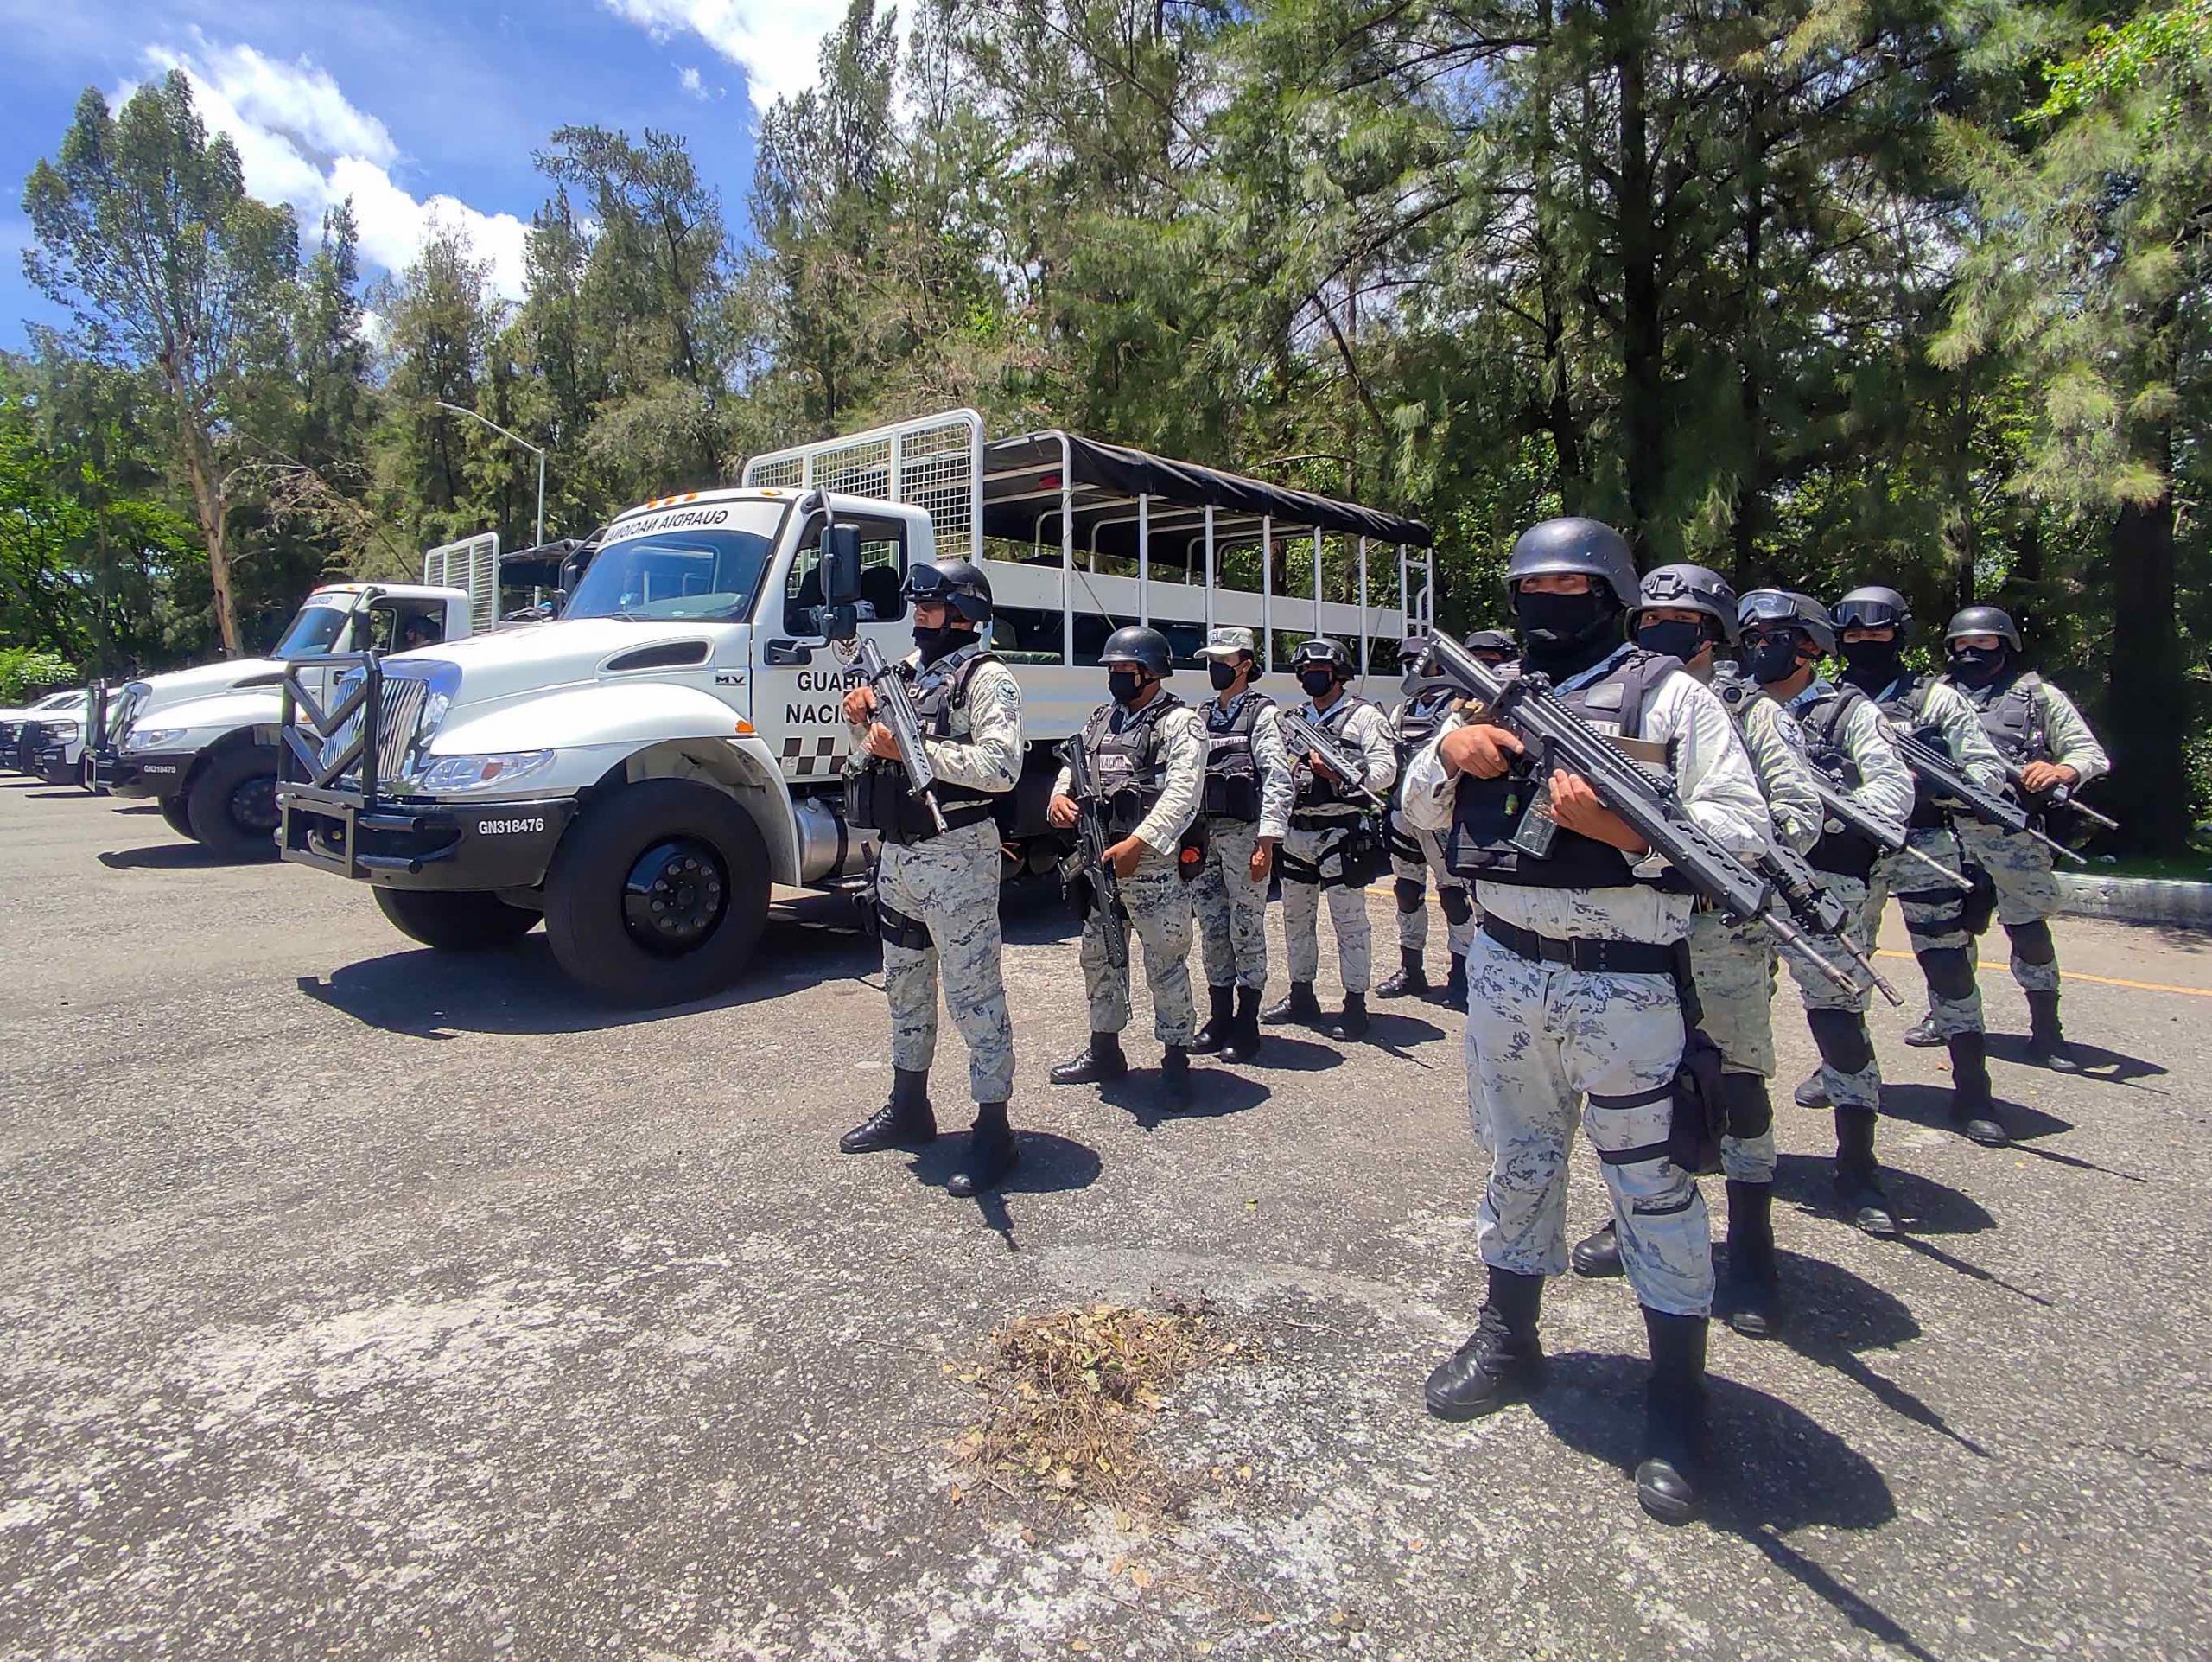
[{"x": 645, "y": 769}]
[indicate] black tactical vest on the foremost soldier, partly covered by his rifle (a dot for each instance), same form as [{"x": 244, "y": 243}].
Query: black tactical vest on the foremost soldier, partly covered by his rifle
[{"x": 1485, "y": 813}]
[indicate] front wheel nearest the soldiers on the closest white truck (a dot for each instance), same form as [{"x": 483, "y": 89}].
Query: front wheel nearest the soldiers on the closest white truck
[{"x": 658, "y": 893}]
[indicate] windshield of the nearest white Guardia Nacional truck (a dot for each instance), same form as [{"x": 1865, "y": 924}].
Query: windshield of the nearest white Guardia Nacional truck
[{"x": 685, "y": 563}]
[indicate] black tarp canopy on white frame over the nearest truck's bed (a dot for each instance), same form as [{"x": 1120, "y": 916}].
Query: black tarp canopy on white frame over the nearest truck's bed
[{"x": 1023, "y": 501}]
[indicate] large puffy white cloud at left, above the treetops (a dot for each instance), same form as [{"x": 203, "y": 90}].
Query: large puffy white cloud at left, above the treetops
[{"x": 304, "y": 143}]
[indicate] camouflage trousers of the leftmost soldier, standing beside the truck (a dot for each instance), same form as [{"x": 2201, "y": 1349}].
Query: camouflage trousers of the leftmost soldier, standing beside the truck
[{"x": 950, "y": 884}]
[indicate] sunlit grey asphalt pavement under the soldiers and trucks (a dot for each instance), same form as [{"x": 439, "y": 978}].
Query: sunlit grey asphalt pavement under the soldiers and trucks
[{"x": 366, "y": 1302}]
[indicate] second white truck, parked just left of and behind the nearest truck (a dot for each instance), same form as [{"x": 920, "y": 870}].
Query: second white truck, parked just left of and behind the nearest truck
[{"x": 202, "y": 742}]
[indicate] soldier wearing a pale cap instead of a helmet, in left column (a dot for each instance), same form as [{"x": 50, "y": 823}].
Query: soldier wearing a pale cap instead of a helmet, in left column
[{"x": 1246, "y": 813}]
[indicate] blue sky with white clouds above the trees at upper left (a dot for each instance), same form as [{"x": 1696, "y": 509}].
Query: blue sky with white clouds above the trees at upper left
[{"x": 408, "y": 107}]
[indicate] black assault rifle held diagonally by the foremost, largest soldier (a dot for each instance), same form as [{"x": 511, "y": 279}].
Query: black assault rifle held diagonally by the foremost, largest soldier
[{"x": 1556, "y": 738}]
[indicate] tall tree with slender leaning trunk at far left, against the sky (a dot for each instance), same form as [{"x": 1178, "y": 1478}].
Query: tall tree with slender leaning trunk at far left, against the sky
[{"x": 147, "y": 236}]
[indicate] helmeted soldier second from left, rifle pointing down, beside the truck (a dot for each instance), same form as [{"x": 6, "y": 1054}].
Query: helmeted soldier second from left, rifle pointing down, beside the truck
[{"x": 1149, "y": 762}]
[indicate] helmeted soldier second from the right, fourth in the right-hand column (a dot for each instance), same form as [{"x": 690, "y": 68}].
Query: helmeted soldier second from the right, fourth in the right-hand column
[{"x": 1872, "y": 627}]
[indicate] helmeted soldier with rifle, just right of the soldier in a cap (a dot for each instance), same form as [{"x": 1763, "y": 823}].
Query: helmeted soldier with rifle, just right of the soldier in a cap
[{"x": 1331, "y": 842}]
